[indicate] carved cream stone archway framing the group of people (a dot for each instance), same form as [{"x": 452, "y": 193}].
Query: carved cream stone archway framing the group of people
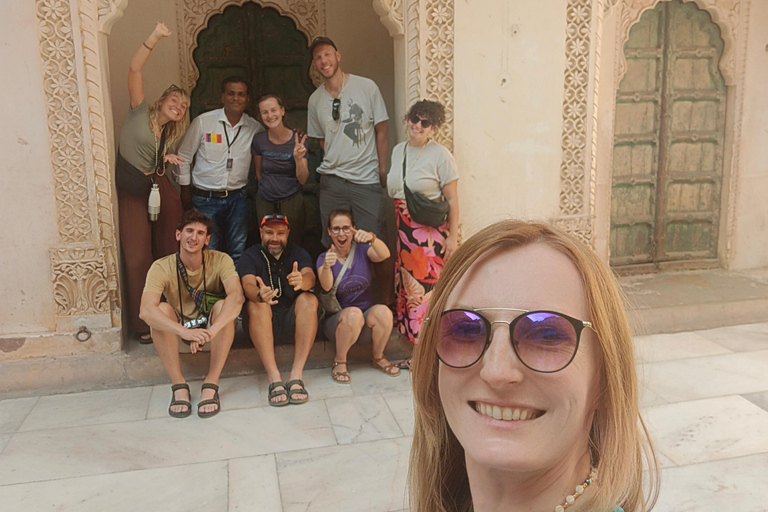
[{"x": 73, "y": 51}]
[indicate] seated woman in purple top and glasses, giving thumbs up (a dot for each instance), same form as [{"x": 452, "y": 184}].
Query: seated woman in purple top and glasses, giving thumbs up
[{"x": 359, "y": 317}]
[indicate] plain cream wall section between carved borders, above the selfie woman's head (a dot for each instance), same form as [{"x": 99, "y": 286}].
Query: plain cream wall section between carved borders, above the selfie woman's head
[{"x": 509, "y": 60}]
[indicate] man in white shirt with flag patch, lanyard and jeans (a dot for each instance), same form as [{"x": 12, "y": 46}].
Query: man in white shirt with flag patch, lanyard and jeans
[{"x": 220, "y": 141}]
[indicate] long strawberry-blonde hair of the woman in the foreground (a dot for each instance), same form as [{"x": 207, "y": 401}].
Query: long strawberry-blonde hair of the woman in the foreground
[{"x": 619, "y": 442}]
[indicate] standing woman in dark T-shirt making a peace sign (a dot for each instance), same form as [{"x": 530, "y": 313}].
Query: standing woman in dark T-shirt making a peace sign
[{"x": 280, "y": 160}]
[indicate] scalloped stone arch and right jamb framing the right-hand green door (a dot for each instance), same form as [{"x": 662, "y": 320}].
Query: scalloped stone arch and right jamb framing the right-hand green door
[{"x": 732, "y": 16}]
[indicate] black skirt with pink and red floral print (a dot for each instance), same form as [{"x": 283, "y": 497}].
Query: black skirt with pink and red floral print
[{"x": 417, "y": 266}]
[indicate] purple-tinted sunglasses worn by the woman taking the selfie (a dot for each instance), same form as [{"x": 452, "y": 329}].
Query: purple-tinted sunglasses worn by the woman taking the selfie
[{"x": 544, "y": 341}]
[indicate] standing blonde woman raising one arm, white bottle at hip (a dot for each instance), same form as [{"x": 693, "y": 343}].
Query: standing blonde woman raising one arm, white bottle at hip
[{"x": 149, "y": 134}]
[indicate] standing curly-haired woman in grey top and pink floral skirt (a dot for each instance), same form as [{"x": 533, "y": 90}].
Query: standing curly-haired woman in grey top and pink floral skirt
[{"x": 422, "y": 250}]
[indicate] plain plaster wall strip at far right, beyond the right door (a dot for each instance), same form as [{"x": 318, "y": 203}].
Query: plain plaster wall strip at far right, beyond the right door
[{"x": 751, "y": 233}]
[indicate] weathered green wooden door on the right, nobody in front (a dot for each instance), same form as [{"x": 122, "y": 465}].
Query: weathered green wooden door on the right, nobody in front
[{"x": 668, "y": 146}]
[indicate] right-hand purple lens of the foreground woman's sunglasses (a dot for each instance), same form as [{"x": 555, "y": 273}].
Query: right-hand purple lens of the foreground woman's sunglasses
[{"x": 545, "y": 342}]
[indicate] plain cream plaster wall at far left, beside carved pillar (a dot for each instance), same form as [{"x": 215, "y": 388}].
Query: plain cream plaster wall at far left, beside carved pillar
[{"x": 27, "y": 210}]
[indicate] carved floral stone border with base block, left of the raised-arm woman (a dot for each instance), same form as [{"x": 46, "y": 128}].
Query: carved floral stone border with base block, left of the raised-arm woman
[{"x": 83, "y": 266}]
